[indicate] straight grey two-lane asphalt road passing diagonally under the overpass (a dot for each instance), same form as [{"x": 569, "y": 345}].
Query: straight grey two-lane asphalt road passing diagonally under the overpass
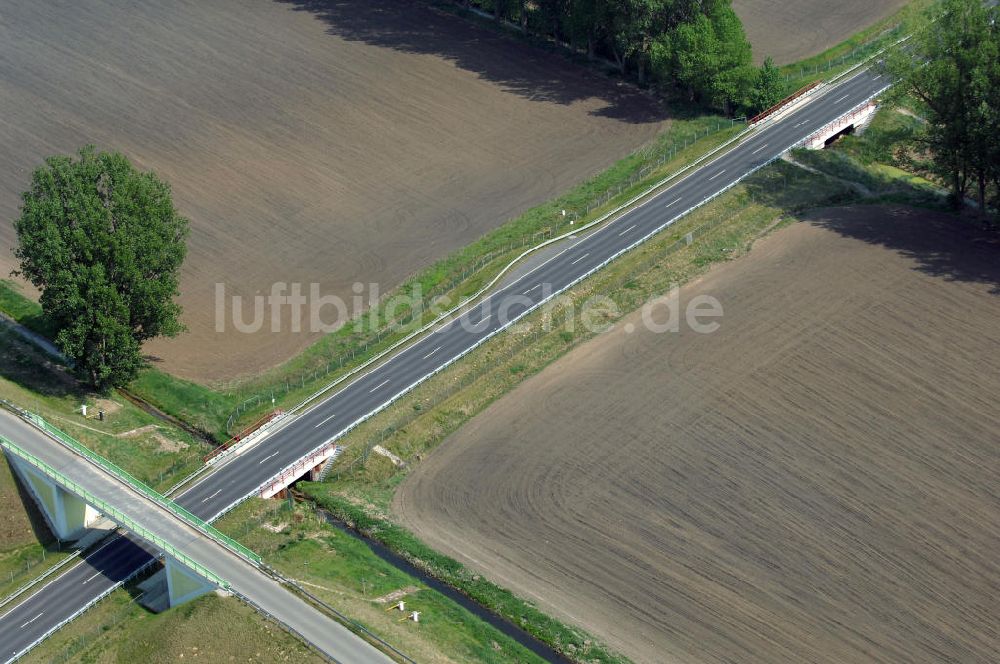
[{"x": 240, "y": 477}]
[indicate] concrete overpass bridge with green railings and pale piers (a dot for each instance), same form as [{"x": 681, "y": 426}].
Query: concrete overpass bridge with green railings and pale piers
[{"x": 75, "y": 487}]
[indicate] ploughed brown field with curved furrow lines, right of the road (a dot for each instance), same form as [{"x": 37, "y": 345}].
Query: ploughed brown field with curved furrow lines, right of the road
[{"x": 814, "y": 482}]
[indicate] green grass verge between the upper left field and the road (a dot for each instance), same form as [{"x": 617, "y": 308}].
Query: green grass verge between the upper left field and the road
[{"x": 444, "y": 284}]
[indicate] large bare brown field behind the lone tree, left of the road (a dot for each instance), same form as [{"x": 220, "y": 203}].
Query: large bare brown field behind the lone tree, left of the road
[{"x": 328, "y": 142}]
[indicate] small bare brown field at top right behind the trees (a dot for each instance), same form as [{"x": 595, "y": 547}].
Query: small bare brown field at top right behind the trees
[{"x": 790, "y": 31}]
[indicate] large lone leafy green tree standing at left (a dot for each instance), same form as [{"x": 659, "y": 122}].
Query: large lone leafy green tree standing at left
[{"x": 104, "y": 243}]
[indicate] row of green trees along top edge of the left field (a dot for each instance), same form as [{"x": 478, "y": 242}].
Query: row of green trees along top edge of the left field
[{"x": 696, "y": 47}]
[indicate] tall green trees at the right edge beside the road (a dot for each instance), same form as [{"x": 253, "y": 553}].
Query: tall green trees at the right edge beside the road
[{"x": 951, "y": 68}]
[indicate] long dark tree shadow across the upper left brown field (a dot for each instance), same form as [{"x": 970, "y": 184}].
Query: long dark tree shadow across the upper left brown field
[{"x": 519, "y": 68}]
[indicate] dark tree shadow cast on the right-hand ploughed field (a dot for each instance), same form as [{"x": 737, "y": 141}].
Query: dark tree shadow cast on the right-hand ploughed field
[{"x": 941, "y": 244}]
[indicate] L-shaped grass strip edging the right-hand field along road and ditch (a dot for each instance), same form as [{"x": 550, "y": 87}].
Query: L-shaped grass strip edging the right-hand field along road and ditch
[{"x": 417, "y": 423}]
